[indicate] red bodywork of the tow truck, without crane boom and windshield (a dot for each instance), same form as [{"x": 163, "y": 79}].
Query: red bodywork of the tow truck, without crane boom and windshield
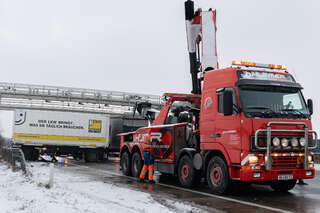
[{"x": 229, "y": 137}]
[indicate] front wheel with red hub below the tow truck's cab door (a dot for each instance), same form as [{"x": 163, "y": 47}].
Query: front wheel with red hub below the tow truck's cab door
[{"x": 218, "y": 176}]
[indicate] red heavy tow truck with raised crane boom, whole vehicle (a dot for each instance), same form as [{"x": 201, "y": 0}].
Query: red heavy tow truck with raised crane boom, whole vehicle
[{"x": 246, "y": 123}]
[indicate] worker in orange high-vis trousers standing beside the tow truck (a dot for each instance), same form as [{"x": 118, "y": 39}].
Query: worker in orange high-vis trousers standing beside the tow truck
[{"x": 148, "y": 163}]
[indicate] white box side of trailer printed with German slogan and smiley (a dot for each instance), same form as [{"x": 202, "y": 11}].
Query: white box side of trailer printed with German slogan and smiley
[{"x": 61, "y": 128}]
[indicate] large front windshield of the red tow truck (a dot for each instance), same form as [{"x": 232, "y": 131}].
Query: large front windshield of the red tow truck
[{"x": 271, "y": 101}]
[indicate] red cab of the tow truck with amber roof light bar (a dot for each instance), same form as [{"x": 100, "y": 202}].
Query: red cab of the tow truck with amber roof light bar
[{"x": 256, "y": 116}]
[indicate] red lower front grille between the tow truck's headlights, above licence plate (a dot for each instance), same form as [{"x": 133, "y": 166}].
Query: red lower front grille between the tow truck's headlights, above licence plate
[{"x": 285, "y": 162}]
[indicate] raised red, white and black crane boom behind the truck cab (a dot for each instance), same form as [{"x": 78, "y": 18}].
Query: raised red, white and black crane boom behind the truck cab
[{"x": 201, "y": 28}]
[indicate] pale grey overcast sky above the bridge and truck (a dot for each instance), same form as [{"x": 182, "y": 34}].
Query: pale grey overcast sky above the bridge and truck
[{"x": 140, "y": 46}]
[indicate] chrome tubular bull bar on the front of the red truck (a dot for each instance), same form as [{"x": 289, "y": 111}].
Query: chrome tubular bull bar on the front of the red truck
[{"x": 269, "y": 131}]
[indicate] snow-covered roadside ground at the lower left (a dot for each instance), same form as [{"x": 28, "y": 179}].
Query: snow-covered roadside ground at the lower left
[{"x": 72, "y": 193}]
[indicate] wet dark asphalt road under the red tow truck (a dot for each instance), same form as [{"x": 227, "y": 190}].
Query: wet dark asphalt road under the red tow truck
[{"x": 255, "y": 198}]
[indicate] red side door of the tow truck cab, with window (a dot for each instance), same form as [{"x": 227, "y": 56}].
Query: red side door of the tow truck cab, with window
[{"x": 227, "y": 127}]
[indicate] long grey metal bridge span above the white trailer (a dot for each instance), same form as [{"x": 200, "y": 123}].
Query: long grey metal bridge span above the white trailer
[{"x": 30, "y": 96}]
